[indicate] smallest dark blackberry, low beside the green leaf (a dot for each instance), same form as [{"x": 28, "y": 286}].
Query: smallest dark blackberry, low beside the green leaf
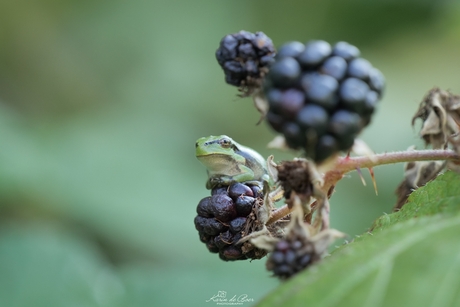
[{"x": 291, "y": 255}]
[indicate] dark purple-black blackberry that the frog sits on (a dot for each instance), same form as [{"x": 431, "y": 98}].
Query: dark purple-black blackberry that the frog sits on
[{"x": 225, "y": 217}]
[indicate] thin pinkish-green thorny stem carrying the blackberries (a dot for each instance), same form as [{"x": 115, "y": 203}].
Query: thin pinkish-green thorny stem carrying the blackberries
[{"x": 348, "y": 164}]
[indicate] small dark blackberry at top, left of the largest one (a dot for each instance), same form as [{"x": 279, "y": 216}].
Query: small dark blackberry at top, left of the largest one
[{"x": 244, "y": 57}]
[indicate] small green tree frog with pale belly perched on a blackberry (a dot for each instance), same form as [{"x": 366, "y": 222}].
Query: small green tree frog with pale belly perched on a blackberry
[{"x": 228, "y": 162}]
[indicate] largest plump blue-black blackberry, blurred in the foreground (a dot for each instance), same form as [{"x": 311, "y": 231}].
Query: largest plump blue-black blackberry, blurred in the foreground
[{"x": 320, "y": 97}]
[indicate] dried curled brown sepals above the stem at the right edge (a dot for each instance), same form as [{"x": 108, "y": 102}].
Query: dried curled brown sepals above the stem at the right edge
[{"x": 440, "y": 113}]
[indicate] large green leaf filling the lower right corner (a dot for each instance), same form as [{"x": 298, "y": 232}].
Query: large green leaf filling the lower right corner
[{"x": 407, "y": 262}]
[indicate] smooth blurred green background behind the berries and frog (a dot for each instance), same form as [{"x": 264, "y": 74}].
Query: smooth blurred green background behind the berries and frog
[{"x": 100, "y": 106}]
